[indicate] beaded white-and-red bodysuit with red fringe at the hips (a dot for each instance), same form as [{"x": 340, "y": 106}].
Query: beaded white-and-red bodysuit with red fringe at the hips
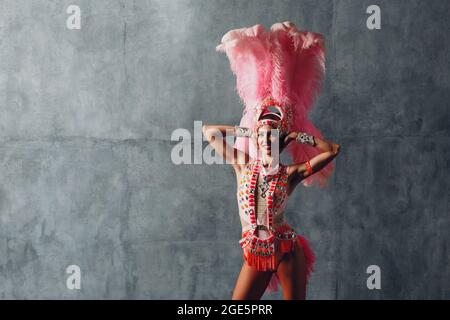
[{"x": 262, "y": 199}]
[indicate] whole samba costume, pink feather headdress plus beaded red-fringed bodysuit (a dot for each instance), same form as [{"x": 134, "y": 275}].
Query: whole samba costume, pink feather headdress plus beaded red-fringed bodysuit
[{"x": 279, "y": 69}]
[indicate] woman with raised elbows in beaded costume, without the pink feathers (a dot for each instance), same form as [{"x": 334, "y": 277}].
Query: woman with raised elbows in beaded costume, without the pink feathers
[{"x": 292, "y": 259}]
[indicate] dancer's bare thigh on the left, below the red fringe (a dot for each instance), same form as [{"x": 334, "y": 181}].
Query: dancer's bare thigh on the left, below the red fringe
[{"x": 251, "y": 283}]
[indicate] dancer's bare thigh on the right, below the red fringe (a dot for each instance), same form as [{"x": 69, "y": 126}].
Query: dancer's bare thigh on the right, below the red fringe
[{"x": 291, "y": 272}]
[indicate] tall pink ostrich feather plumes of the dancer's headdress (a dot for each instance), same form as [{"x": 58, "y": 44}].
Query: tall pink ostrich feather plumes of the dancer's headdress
[{"x": 286, "y": 67}]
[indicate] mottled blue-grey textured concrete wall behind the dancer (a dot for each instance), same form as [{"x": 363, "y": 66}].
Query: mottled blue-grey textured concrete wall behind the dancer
[{"x": 85, "y": 170}]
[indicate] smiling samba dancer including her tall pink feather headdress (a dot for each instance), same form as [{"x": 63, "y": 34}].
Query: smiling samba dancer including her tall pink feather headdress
[{"x": 278, "y": 74}]
